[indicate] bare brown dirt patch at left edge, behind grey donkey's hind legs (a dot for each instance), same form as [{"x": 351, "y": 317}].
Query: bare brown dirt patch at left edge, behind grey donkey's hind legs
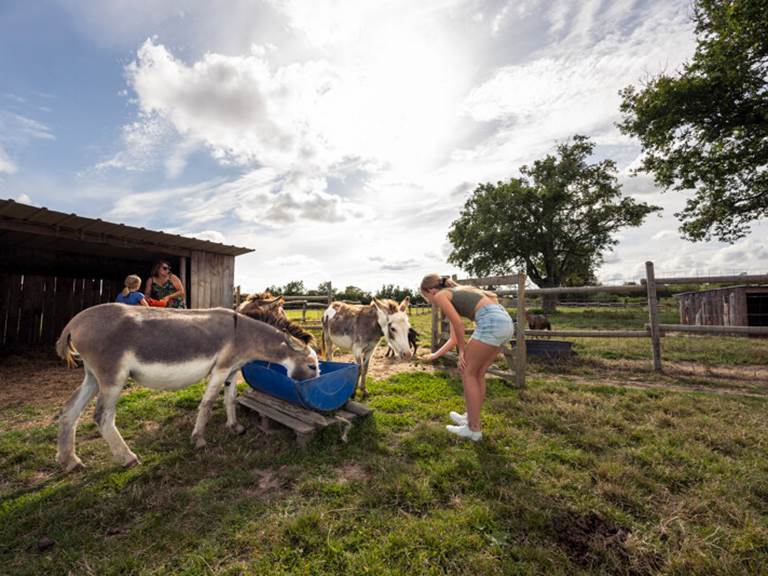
[{"x": 36, "y": 377}]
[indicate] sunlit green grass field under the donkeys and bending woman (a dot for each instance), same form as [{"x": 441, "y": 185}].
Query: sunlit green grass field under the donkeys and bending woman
[{"x": 575, "y": 475}]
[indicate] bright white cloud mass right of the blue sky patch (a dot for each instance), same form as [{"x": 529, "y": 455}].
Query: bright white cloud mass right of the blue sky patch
[{"x": 354, "y": 136}]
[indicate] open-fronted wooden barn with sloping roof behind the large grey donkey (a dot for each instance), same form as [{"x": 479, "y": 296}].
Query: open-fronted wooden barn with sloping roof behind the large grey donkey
[{"x": 52, "y": 265}]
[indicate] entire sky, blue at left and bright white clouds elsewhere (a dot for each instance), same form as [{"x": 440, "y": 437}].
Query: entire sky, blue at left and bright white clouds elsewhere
[{"x": 338, "y": 139}]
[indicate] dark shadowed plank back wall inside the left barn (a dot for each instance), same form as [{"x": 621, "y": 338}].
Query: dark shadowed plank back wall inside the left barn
[{"x": 34, "y": 309}]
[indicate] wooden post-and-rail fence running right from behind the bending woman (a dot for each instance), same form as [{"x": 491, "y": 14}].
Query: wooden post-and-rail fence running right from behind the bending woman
[{"x": 653, "y": 330}]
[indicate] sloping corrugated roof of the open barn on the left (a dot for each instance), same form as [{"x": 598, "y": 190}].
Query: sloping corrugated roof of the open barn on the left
[{"x": 12, "y": 211}]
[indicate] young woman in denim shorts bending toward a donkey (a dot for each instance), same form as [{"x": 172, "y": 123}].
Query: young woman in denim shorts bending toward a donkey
[{"x": 493, "y": 328}]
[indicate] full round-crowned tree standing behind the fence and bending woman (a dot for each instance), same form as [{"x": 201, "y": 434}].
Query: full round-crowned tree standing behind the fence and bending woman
[{"x": 554, "y": 221}]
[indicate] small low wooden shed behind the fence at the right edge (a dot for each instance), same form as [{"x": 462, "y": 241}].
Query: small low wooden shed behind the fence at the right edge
[{"x": 729, "y": 306}]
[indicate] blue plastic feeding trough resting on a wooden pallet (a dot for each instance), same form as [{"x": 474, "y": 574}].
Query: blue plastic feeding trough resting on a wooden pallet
[{"x": 327, "y": 392}]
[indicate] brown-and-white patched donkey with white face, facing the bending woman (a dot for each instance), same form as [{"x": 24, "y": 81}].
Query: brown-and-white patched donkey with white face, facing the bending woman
[{"x": 360, "y": 327}]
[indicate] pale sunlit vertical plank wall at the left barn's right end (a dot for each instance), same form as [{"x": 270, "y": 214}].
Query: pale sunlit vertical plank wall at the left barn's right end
[{"x": 212, "y": 280}]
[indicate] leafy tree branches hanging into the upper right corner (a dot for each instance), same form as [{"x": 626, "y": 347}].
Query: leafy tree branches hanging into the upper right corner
[{"x": 706, "y": 128}]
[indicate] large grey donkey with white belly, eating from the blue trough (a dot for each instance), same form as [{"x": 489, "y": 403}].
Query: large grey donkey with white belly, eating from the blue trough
[{"x": 164, "y": 349}]
